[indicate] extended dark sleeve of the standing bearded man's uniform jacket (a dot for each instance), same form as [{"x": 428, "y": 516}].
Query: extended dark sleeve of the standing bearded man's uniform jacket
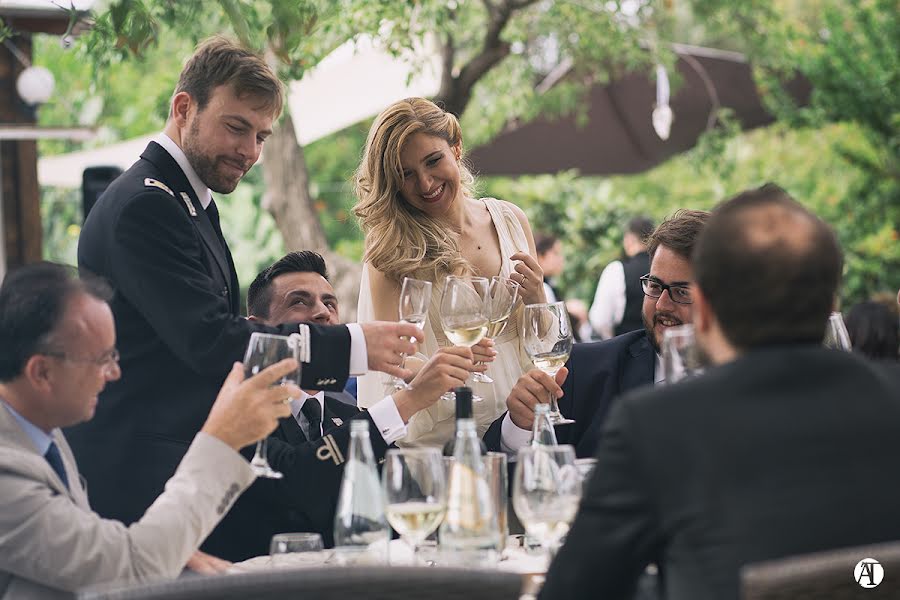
[{"x": 158, "y": 265}]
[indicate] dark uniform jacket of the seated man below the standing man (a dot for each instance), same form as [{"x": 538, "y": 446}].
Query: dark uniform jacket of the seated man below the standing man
[{"x": 306, "y": 498}]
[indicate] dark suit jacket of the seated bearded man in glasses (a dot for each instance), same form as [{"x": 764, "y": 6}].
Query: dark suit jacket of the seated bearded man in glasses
[{"x": 599, "y": 372}]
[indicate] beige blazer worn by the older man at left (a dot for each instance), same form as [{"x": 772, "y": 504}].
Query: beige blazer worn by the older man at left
[{"x": 52, "y": 544}]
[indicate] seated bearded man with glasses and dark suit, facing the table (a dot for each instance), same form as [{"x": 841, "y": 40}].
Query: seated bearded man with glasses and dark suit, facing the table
[{"x": 598, "y": 373}]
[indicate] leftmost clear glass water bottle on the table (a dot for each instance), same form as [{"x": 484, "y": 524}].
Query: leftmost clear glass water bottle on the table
[{"x": 359, "y": 520}]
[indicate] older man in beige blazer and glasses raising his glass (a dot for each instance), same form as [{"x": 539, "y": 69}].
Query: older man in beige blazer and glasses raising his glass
[{"x": 59, "y": 351}]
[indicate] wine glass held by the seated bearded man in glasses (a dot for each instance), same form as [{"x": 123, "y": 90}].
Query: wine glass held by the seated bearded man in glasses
[{"x": 548, "y": 340}]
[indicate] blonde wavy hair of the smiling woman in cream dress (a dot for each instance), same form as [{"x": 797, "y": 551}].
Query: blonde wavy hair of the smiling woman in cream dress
[{"x": 401, "y": 240}]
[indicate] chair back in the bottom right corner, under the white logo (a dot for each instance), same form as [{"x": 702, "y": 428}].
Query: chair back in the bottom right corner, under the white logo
[{"x": 827, "y": 575}]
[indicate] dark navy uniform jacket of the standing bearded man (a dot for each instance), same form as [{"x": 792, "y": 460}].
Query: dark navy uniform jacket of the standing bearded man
[{"x": 178, "y": 330}]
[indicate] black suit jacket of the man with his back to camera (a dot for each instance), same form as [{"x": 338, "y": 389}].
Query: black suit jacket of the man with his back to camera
[{"x": 784, "y": 451}]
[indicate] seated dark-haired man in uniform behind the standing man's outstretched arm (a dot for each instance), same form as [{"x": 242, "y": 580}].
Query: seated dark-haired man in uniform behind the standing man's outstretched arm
[{"x": 310, "y": 445}]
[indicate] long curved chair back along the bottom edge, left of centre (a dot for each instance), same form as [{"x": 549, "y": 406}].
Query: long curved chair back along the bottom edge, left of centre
[{"x": 327, "y": 583}]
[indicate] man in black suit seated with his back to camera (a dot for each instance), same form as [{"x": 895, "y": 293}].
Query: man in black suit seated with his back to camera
[{"x": 782, "y": 448}]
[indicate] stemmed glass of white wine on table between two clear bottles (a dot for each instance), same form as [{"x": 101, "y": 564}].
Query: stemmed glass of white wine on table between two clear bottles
[{"x": 415, "y": 491}]
